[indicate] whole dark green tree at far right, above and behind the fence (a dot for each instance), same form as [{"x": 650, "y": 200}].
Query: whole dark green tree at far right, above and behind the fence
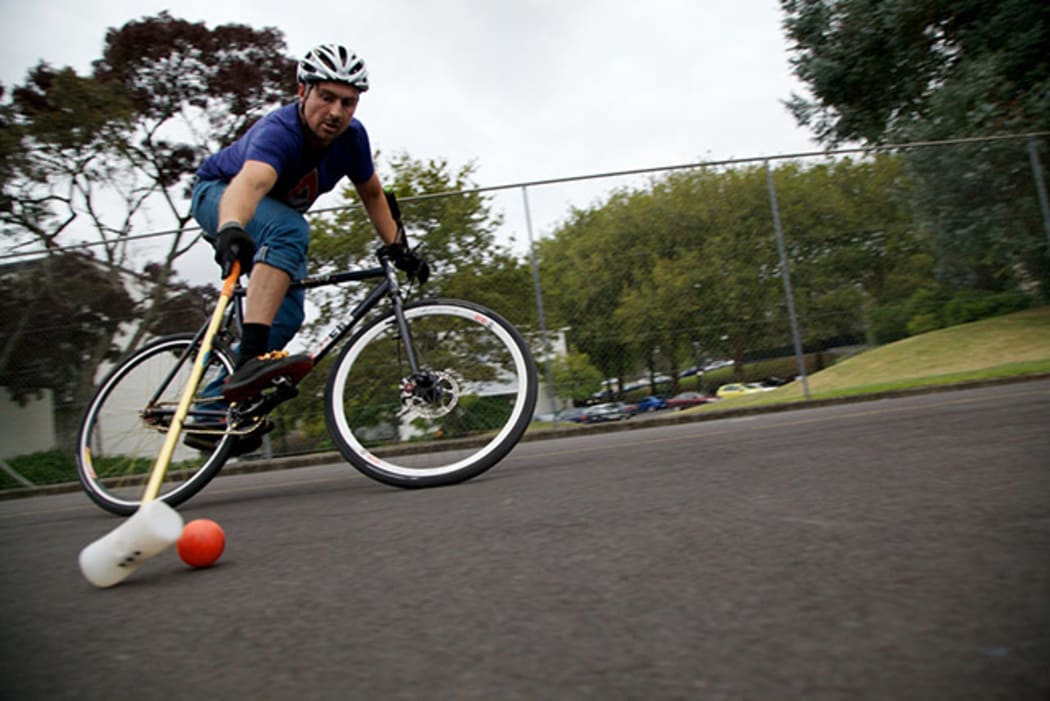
[{"x": 907, "y": 71}]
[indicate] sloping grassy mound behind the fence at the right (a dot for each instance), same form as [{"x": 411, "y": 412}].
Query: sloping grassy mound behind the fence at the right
[{"x": 1011, "y": 346}]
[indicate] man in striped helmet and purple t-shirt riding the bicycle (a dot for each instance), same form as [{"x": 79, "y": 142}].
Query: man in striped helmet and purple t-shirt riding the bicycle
[{"x": 250, "y": 199}]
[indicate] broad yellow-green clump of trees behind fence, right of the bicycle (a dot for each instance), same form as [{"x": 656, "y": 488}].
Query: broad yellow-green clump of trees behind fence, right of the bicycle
[{"x": 687, "y": 269}]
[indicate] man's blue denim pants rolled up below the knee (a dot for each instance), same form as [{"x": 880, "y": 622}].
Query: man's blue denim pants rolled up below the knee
[{"x": 282, "y": 240}]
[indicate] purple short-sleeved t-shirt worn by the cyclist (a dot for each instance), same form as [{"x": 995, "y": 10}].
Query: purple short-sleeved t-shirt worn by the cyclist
[{"x": 304, "y": 173}]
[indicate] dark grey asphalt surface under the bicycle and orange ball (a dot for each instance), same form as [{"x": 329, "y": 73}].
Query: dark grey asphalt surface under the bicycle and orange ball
[{"x": 896, "y": 549}]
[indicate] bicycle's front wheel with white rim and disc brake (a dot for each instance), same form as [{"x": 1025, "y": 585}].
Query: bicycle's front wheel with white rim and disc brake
[{"x": 459, "y": 416}]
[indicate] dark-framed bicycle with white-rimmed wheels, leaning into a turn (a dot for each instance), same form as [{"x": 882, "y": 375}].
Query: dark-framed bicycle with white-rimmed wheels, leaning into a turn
[{"x": 430, "y": 393}]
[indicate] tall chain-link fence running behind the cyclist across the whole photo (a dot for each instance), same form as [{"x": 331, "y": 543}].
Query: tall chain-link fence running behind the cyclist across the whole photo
[{"x": 629, "y": 285}]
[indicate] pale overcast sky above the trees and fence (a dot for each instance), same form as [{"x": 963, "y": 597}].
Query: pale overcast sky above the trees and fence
[{"x": 527, "y": 90}]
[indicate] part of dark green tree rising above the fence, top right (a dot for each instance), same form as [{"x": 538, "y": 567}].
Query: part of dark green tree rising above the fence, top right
[{"x": 899, "y": 70}]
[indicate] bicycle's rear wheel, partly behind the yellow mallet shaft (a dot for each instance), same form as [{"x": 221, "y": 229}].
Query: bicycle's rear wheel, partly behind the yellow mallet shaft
[{"x": 121, "y": 434}]
